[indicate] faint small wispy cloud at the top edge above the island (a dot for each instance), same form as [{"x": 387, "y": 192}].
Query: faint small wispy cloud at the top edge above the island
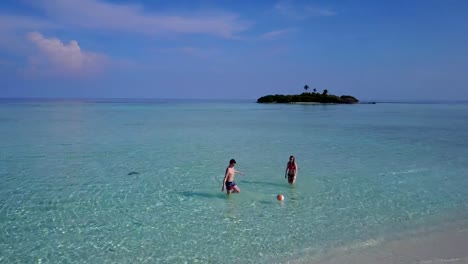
[{"x": 290, "y": 10}]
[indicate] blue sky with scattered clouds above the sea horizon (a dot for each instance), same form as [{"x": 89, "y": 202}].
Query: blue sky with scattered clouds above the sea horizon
[{"x": 233, "y": 49}]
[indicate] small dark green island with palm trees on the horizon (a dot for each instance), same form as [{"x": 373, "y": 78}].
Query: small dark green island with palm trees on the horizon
[{"x": 309, "y": 98}]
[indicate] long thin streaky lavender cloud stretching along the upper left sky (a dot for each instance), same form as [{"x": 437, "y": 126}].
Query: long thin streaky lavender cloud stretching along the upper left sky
[{"x": 96, "y": 14}]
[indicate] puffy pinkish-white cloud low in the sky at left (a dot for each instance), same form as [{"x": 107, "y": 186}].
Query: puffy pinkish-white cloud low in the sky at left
[{"x": 55, "y": 57}]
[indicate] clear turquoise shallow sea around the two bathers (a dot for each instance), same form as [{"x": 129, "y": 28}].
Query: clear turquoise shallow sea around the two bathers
[{"x": 135, "y": 182}]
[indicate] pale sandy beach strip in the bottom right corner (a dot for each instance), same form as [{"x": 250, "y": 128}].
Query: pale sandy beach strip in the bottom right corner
[{"x": 446, "y": 244}]
